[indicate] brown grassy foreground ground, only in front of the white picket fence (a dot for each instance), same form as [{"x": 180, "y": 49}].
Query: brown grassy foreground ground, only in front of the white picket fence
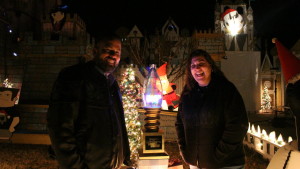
[{"x": 24, "y": 156}]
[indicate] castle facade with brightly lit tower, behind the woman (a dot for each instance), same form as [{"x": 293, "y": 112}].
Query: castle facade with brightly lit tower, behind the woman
[{"x": 232, "y": 53}]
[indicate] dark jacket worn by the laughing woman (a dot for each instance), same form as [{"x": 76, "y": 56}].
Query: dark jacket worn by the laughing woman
[{"x": 211, "y": 125}]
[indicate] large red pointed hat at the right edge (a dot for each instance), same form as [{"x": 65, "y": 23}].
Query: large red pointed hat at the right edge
[{"x": 290, "y": 64}]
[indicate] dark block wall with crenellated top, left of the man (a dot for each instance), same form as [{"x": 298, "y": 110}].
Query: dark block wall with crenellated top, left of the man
[{"x": 40, "y": 60}]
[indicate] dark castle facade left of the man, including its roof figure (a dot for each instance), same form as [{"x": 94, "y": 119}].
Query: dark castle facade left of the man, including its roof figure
[{"x": 56, "y": 39}]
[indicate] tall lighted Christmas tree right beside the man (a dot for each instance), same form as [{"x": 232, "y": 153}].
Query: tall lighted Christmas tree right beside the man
[{"x": 130, "y": 90}]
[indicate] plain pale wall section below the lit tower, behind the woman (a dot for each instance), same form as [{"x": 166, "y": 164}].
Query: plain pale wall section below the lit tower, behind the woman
[{"x": 243, "y": 70}]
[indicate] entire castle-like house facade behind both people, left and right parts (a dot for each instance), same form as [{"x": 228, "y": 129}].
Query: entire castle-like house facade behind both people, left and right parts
[{"x": 55, "y": 39}]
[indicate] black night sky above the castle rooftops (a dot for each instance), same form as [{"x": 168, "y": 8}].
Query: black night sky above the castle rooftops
[{"x": 273, "y": 18}]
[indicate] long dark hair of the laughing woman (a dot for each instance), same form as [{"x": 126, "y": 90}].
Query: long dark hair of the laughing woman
[{"x": 190, "y": 82}]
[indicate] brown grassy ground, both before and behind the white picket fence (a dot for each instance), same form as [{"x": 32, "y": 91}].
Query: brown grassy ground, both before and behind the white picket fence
[{"x": 29, "y": 156}]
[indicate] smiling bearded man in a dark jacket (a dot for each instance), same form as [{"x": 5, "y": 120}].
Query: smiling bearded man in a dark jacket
[{"x": 85, "y": 117}]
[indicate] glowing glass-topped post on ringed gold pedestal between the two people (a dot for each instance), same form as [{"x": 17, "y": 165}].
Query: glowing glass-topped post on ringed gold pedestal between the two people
[{"x": 152, "y": 154}]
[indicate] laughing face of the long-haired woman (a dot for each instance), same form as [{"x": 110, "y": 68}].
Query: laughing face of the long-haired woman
[{"x": 201, "y": 70}]
